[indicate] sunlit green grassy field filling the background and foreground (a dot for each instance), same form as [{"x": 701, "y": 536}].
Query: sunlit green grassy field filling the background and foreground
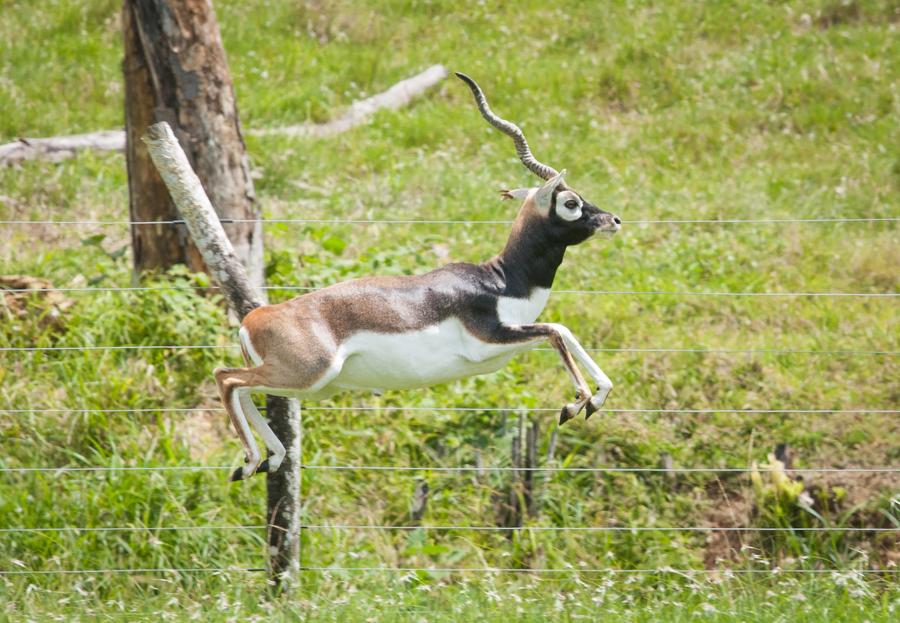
[{"x": 685, "y": 110}]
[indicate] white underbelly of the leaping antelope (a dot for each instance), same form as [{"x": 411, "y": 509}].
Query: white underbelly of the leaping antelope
[{"x": 436, "y": 354}]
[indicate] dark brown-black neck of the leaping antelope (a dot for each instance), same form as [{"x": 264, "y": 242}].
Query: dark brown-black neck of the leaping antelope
[{"x": 529, "y": 260}]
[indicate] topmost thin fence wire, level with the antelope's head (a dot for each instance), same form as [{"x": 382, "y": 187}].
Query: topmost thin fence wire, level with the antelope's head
[{"x": 400, "y": 221}]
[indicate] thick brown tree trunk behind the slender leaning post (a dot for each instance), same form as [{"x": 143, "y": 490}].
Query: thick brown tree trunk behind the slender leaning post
[{"x": 176, "y": 71}]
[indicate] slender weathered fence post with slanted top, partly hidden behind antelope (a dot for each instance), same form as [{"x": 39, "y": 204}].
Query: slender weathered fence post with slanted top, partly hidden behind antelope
[{"x": 283, "y": 486}]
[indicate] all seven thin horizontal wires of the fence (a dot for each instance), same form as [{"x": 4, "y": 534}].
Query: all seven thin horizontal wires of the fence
[{"x": 573, "y": 569}]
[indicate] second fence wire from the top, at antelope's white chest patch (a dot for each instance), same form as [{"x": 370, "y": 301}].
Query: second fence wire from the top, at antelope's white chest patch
[{"x": 587, "y": 292}]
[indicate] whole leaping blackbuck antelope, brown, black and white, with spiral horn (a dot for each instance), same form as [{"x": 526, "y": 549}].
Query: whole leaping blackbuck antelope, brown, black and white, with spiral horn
[{"x": 379, "y": 333}]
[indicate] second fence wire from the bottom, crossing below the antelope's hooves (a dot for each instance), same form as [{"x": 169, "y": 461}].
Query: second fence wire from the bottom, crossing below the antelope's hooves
[{"x": 461, "y": 528}]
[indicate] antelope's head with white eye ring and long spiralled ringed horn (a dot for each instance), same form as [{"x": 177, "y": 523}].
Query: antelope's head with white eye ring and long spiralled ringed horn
[{"x": 563, "y": 214}]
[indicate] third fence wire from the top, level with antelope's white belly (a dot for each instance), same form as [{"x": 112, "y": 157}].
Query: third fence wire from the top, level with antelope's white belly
[{"x": 766, "y": 351}]
